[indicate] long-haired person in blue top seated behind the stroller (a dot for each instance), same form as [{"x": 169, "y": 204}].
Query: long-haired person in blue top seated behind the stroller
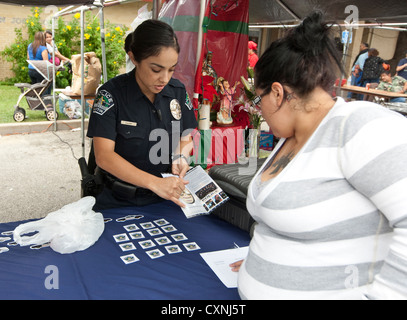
[{"x": 37, "y": 50}]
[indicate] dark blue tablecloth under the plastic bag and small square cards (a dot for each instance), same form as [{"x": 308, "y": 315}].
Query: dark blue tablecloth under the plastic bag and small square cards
[{"x": 100, "y": 273}]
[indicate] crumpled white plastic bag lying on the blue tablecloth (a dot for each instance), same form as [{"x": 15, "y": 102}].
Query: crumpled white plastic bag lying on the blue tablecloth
[{"x": 75, "y": 227}]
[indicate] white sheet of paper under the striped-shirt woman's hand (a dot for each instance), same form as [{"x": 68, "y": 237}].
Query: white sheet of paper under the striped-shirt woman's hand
[{"x": 219, "y": 262}]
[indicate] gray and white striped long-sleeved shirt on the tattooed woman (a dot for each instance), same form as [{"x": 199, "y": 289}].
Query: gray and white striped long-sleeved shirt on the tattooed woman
[{"x": 333, "y": 223}]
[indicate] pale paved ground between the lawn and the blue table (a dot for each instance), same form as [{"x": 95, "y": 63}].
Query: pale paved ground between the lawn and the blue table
[{"x": 39, "y": 172}]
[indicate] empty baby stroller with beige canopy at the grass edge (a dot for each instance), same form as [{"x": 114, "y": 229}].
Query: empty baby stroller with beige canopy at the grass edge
[{"x": 33, "y": 93}]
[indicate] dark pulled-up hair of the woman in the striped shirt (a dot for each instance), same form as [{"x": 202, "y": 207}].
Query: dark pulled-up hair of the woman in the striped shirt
[{"x": 305, "y": 59}]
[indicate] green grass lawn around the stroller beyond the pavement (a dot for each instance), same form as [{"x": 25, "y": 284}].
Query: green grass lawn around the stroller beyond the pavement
[{"x": 8, "y": 99}]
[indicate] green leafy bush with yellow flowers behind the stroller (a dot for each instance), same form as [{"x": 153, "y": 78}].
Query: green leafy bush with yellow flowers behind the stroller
[{"x": 68, "y": 40}]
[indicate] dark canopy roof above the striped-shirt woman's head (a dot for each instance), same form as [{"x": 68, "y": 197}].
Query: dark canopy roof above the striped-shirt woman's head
[{"x": 350, "y": 14}]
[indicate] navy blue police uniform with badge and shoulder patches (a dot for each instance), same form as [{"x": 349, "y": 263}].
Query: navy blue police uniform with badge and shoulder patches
[{"x": 145, "y": 134}]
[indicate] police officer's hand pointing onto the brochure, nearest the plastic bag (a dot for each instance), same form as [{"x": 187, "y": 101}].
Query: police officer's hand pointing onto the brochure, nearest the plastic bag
[{"x": 171, "y": 188}]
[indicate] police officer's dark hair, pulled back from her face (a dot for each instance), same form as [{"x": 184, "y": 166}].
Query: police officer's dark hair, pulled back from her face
[{"x": 150, "y": 37}]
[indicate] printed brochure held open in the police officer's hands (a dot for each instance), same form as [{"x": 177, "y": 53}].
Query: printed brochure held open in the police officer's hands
[{"x": 201, "y": 195}]
